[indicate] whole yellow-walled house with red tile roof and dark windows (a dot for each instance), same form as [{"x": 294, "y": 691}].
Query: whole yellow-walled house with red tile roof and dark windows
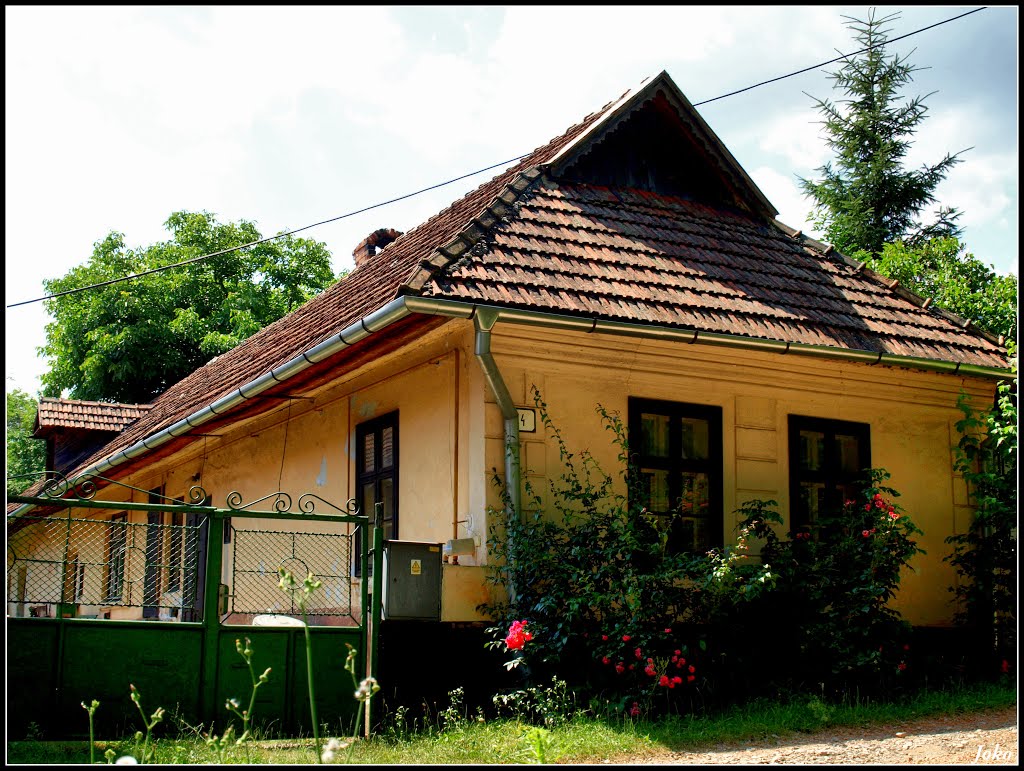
[{"x": 630, "y": 263}]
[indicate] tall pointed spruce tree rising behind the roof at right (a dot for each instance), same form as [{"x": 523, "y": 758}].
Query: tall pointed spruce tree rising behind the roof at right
[{"x": 868, "y": 199}]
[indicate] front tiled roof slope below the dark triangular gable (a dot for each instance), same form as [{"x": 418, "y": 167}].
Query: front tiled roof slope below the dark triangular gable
[{"x": 636, "y": 256}]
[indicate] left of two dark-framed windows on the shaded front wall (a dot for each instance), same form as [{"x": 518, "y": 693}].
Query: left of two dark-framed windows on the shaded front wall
[{"x": 676, "y": 457}]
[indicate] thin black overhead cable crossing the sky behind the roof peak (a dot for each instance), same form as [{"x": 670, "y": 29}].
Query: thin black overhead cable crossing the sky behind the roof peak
[{"x": 464, "y": 177}]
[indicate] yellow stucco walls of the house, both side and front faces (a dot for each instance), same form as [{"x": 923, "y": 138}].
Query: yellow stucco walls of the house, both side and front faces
[{"x": 452, "y": 437}]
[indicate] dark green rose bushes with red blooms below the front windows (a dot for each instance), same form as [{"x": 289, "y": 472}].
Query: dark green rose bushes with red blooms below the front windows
[{"x": 628, "y": 622}]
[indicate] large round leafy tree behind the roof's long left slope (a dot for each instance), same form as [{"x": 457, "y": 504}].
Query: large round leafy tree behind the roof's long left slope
[{"x": 132, "y": 340}]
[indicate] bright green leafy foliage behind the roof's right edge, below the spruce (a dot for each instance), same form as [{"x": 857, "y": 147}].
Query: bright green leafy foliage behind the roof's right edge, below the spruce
[{"x": 956, "y": 280}]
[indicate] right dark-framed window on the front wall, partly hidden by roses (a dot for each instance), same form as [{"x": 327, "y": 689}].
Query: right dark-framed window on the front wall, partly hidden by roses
[{"x": 828, "y": 461}]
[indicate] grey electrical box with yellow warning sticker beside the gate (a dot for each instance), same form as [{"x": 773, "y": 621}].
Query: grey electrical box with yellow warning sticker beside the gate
[{"x": 412, "y": 581}]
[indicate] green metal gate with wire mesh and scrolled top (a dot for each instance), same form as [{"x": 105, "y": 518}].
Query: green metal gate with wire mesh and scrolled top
[{"x": 182, "y": 655}]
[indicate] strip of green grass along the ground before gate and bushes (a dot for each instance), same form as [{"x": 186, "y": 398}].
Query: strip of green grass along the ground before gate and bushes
[{"x": 582, "y": 740}]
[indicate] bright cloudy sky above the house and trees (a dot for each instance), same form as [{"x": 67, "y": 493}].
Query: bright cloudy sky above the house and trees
[{"x": 288, "y": 116}]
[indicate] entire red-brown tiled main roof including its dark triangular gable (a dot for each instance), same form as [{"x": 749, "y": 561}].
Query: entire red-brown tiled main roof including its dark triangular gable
[{"x": 682, "y": 239}]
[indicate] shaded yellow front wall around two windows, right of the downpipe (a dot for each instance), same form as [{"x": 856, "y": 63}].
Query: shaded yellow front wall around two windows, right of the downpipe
[{"x": 912, "y": 416}]
